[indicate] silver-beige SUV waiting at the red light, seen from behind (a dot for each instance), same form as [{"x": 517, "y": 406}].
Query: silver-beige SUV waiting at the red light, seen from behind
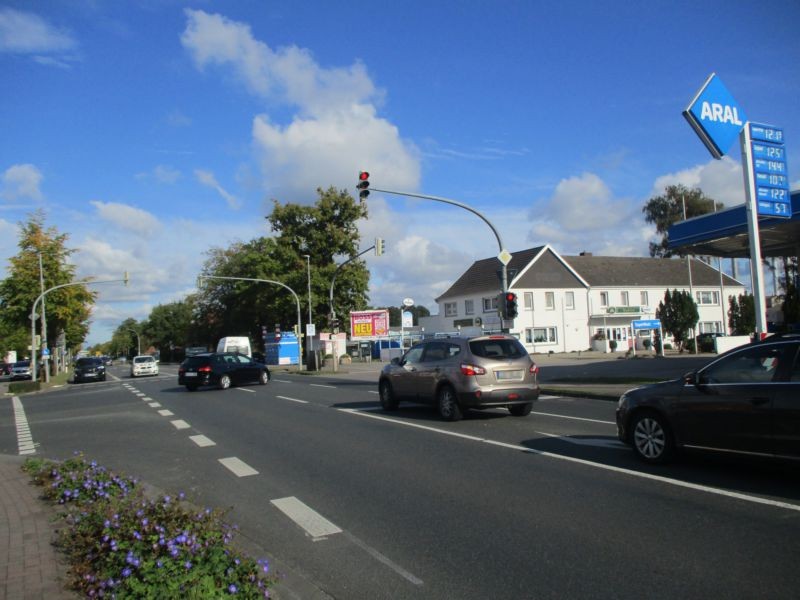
[{"x": 458, "y": 373}]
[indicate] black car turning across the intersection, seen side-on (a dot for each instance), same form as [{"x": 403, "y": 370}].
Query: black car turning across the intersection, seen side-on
[{"x": 222, "y": 369}]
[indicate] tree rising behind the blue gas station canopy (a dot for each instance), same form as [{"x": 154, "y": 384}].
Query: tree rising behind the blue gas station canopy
[{"x": 667, "y": 209}]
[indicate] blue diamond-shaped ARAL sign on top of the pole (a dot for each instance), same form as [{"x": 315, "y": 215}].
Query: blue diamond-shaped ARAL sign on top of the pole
[{"x": 715, "y": 116}]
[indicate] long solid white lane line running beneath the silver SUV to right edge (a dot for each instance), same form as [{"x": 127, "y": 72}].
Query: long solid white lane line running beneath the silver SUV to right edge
[{"x": 588, "y": 463}]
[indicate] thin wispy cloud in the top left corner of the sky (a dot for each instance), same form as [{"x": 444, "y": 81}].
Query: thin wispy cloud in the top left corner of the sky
[{"x": 27, "y": 33}]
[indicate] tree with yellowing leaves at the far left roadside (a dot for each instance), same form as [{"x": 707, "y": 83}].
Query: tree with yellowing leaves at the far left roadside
[{"x": 67, "y": 309}]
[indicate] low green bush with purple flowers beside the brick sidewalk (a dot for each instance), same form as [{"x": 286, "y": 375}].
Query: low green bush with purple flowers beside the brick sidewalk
[{"x": 121, "y": 544}]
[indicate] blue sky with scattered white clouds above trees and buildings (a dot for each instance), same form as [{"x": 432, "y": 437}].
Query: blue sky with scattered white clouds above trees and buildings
[{"x": 150, "y": 131}]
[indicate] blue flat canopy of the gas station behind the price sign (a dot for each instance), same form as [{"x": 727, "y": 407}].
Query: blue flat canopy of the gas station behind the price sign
[{"x": 724, "y": 233}]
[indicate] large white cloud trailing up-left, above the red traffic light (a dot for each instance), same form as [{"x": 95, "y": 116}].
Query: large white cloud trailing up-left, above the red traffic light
[{"x": 336, "y": 131}]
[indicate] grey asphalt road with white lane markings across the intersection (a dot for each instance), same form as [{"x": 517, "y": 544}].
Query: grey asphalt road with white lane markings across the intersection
[{"x": 359, "y": 503}]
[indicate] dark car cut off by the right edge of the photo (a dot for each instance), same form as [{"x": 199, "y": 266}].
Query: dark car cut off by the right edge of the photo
[{"x": 743, "y": 402}]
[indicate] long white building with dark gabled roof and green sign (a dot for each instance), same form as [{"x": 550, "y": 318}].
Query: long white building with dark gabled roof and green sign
[{"x": 565, "y": 301}]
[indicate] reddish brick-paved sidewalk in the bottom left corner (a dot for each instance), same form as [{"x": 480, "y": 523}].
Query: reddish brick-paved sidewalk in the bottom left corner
[{"x": 30, "y": 568}]
